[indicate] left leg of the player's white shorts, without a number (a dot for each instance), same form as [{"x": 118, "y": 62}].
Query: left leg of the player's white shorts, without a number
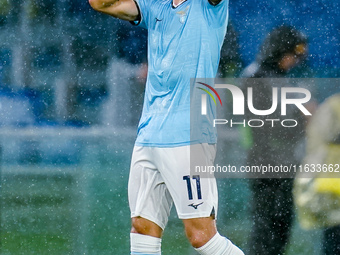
[{"x": 149, "y": 197}]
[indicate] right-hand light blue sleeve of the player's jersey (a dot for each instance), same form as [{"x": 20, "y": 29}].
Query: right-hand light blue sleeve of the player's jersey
[{"x": 216, "y": 15}]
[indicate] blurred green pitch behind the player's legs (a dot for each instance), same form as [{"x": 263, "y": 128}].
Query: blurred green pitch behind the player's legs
[{"x": 83, "y": 209}]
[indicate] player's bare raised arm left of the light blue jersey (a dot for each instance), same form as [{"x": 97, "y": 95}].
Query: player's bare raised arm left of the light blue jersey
[{"x": 121, "y": 9}]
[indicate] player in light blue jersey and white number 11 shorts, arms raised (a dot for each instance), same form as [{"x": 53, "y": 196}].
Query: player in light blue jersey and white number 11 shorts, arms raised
[{"x": 184, "y": 42}]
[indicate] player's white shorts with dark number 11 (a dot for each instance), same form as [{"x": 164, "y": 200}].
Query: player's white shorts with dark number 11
[{"x": 161, "y": 176}]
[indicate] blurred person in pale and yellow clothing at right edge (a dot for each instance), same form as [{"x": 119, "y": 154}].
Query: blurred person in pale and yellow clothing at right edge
[{"x": 317, "y": 186}]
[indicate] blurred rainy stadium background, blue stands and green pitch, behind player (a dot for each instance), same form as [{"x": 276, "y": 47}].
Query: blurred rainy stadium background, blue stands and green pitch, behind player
[{"x": 71, "y": 83}]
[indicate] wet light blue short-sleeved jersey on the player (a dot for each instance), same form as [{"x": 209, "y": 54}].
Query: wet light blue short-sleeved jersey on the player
[{"x": 183, "y": 43}]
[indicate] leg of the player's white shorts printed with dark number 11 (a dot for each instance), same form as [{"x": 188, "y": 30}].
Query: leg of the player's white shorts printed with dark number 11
[{"x": 193, "y": 196}]
